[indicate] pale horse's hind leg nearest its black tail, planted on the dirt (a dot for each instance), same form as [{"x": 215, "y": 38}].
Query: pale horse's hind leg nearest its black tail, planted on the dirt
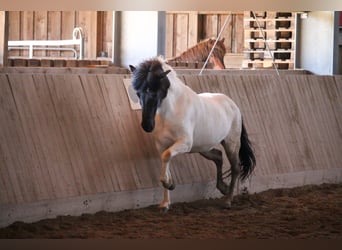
[{"x": 232, "y": 151}]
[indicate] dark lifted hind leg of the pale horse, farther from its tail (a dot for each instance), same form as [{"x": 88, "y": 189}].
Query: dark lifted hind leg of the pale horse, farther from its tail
[{"x": 215, "y": 155}]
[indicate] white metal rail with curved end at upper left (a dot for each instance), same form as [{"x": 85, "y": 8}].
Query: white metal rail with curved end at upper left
[{"x": 77, "y": 39}]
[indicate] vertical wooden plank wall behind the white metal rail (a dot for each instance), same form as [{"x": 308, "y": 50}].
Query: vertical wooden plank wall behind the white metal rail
[{"x": 58, "y": 25}]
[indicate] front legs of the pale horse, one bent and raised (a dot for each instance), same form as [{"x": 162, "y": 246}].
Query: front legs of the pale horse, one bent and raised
[{"x": 165, "y": 175}]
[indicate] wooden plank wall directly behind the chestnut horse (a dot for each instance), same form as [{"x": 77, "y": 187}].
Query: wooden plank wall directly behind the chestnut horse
[{"x": 186, "y": 29}]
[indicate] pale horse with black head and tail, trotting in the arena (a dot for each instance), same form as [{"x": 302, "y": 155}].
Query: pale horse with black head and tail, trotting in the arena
[{"x": 183, "y": 121}]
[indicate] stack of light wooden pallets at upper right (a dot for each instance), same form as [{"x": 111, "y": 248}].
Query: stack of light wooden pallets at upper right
[{"x": 275, "y": 38}]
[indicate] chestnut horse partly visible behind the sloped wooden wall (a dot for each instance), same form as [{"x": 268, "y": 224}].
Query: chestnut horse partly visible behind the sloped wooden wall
[{"x": 200, "y": 52}]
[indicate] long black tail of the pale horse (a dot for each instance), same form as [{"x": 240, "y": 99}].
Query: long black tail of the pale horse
[{"x": 246, "y": 155}]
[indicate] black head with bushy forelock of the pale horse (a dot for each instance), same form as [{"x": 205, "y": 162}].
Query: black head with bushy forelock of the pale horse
[{"x": 151, "y": 85}]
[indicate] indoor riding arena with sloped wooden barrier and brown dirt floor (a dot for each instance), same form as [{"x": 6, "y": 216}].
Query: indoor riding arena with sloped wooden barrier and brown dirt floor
[{"x": 76, "y": 163}]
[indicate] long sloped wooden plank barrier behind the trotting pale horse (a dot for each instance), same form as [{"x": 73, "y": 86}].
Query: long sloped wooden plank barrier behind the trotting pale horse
[{"x": 64, "y": 136}]
